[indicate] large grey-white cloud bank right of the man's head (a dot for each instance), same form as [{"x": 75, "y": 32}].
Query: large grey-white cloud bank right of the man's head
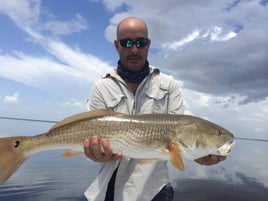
[{"x": 218, "y": 61}]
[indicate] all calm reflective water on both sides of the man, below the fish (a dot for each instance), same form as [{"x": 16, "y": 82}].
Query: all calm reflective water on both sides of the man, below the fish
[{"x": 242, "y": 177}]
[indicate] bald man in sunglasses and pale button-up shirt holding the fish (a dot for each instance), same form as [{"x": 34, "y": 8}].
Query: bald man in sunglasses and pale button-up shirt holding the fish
[{"x": 134, "y": 87}]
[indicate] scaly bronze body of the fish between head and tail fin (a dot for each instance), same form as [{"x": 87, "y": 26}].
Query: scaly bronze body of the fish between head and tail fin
[{"x": 122, "y": 132}]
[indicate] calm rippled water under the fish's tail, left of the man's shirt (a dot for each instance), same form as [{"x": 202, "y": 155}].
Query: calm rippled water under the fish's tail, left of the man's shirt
[{"x": 47, "y": 176}]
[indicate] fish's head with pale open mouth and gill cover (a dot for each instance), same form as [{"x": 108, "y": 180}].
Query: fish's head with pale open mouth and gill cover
[{"x": 198, "y": 137}]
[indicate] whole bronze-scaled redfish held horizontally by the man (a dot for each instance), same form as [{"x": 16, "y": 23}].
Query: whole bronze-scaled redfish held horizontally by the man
[{"x": 143, "y": 136}]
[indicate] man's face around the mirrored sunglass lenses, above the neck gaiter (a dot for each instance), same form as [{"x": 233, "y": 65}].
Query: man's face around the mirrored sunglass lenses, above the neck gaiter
[{"x": 132, "y": 58}]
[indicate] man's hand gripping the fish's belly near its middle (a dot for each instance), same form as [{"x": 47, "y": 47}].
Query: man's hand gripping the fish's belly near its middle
[{"x": 99, "y": 150}]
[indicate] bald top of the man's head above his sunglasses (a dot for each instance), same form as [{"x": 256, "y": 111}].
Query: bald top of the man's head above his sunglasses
[{"x": 131, "y": 24}]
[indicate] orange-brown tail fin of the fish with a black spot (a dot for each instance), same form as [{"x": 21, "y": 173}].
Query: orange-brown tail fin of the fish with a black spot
[{"x": 11, "y": 156}]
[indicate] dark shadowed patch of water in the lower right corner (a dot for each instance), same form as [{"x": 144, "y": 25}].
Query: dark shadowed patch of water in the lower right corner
[{"x": 217, "y": 190}]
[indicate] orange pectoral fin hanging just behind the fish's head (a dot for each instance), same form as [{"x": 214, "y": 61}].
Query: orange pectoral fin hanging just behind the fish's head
[{"x": 176, "y": 157}]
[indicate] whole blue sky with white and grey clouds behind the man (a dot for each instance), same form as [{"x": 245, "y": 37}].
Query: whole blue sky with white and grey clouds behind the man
[{"x": 51, "y": 52}]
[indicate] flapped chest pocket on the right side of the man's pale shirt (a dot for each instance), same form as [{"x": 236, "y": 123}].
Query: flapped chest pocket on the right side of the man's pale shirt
[{"x": 158, "y": 98}]
